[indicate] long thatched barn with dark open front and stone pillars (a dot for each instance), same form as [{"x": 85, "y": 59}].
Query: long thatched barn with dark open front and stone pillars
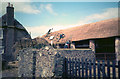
[{"x": 102, "y": 37}]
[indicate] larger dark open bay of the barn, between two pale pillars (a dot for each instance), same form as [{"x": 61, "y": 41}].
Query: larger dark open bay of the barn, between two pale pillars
[{"x": 105, "y": 48}]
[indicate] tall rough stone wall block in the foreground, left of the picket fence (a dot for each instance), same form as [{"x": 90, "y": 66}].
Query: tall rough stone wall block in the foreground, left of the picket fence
[{"x": 44, "y": 62}]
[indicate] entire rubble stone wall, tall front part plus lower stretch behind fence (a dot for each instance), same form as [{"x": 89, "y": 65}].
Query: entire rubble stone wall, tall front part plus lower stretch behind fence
[{"x": 47, "y": 62}]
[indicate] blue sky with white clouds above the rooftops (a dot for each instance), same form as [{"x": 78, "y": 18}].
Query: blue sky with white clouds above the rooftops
[{"x": 38, "y": 17}]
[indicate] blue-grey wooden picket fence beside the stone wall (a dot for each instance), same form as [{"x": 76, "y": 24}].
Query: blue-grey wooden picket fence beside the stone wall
[{"x": 80, "y": 68}]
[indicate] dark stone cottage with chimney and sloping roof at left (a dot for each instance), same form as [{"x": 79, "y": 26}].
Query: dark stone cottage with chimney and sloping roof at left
[{"x": 10, "y": 32}]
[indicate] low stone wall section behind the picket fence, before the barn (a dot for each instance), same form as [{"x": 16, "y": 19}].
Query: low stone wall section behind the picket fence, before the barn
[{"x": 77, "y": 53}]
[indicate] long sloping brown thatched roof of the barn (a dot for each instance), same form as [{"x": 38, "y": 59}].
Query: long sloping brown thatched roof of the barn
[{"x": 101, "y": 29}]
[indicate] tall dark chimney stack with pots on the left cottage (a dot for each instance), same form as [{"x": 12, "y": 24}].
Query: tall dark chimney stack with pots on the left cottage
[{"x": 10, "y": 15}]
